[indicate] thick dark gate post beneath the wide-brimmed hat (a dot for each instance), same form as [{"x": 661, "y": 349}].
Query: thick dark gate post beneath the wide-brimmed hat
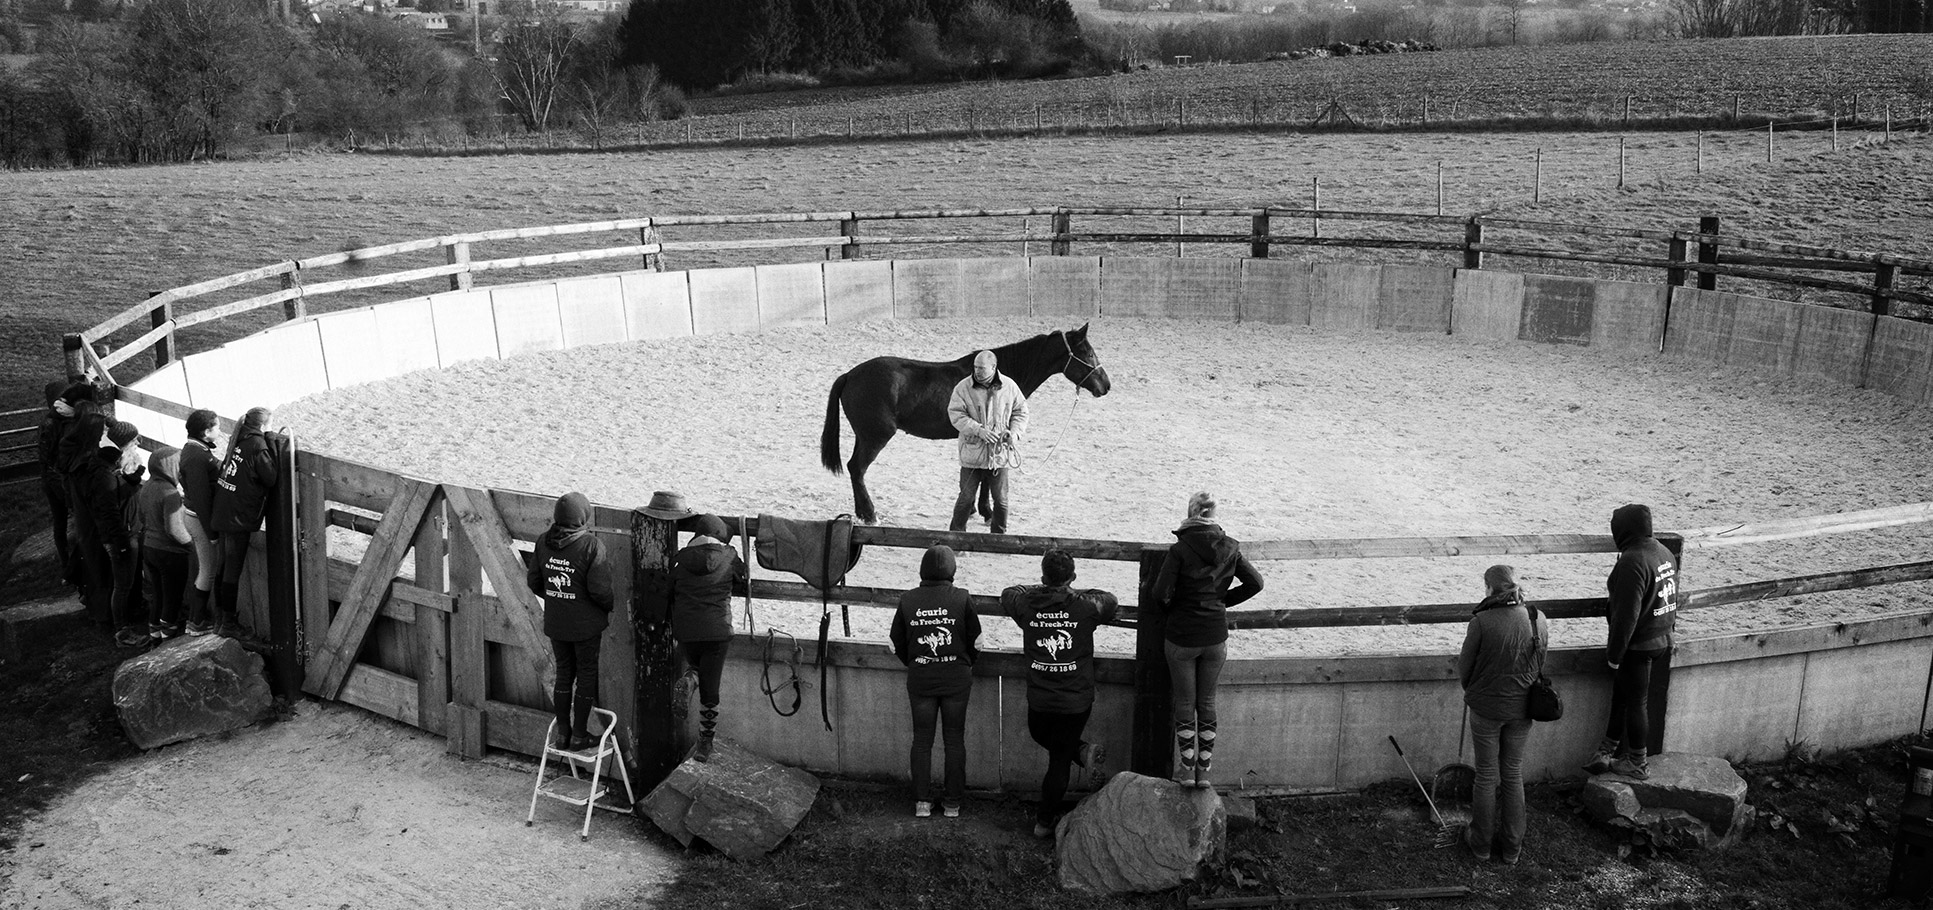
[{"x": 662, "y": 741}]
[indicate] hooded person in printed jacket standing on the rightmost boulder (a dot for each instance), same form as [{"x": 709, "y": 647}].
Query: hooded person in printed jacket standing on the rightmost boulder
[{"x": 1644, "y": 608}]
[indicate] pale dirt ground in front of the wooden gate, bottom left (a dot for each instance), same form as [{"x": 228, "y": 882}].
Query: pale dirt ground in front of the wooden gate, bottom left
[{"x": 332, "y": 809}]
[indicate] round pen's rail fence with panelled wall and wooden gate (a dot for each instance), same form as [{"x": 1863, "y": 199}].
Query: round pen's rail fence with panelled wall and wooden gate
[{"x": 407, "y": 594}]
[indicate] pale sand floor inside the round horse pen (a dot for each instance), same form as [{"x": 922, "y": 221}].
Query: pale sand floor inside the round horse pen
[{"x": 1298, "y": 434}]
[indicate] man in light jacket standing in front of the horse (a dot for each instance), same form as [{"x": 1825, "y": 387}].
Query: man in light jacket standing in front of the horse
[{"x": 991, "y": 414}]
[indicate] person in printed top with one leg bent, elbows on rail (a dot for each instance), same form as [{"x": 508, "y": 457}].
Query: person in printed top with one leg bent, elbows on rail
[{"x": 1058, "y": 642}]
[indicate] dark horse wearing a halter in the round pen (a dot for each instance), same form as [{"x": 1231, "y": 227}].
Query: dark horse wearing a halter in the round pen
[{"x": 888, "y": 395}]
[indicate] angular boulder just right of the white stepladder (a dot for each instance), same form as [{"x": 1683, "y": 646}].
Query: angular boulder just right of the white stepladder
[{"x": 739, "y": 803}]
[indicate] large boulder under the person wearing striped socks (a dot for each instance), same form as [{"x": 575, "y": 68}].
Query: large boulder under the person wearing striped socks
[{"x": 1140, "y": 834}]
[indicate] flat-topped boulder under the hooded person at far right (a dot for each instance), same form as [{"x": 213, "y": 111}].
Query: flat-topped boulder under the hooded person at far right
[{"x": 1688, "y": 801}]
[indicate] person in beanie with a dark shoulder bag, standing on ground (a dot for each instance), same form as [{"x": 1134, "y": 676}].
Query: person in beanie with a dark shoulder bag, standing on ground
[{"x": 1503, "y": 654}]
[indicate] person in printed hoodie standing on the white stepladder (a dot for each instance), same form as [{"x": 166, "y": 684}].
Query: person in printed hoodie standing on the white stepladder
[{"x": 571, "y": 573}]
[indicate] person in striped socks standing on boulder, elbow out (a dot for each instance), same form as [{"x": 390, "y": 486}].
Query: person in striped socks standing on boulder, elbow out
[{"x": 1192, "y": 598}]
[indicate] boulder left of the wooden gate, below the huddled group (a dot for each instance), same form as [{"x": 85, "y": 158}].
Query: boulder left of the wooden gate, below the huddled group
[{"x": 190, "y": 687}]
